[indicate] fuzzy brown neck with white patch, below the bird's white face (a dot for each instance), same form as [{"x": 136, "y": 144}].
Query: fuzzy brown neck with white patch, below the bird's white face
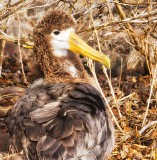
[{"x": 67, "y": 68}]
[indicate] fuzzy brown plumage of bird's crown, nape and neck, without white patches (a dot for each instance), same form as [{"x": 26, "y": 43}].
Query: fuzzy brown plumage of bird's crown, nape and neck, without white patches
[{"x": 52, "y": 66}]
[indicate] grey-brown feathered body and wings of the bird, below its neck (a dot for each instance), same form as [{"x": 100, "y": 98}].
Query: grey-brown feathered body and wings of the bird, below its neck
[{"x": 59, "y": 121}]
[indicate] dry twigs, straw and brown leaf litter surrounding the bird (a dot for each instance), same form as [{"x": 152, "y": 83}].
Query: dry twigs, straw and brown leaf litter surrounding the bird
[{"x": 125, "y": 30}]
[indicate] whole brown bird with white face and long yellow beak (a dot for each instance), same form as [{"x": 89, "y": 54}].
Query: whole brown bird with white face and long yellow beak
[{"x": 61, "y": 116}]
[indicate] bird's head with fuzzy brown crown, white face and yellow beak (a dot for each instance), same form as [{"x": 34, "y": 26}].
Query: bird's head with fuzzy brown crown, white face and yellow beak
[{"x": 58, "y": 26}]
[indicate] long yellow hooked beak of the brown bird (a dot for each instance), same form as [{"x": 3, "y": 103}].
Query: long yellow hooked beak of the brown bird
[{"x": 77, "y": 45}]
